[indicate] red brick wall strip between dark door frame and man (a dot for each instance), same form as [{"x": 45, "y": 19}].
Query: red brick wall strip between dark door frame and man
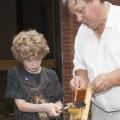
[{"x": 69, "y": 28}]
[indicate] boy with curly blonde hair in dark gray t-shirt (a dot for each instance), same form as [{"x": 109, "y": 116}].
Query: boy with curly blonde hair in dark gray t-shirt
[{"x": 35, "y": 89}]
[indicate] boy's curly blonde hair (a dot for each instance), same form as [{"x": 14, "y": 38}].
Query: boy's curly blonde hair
[{"x": 28, "y": 44}]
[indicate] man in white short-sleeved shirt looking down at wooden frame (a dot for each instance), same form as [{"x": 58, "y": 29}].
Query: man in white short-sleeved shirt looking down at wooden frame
[{"x": 97, "y": 55}]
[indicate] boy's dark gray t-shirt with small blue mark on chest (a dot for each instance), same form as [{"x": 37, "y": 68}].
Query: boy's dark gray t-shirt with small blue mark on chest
[{"x": 20, "y": 85}]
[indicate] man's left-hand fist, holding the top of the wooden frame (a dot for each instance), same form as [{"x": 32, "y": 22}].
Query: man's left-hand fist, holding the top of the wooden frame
[{"x": 78, "y": 82}]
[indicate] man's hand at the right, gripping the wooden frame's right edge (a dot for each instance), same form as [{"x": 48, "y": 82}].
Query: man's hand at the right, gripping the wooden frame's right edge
[{"x": 103, "y": 82}]
